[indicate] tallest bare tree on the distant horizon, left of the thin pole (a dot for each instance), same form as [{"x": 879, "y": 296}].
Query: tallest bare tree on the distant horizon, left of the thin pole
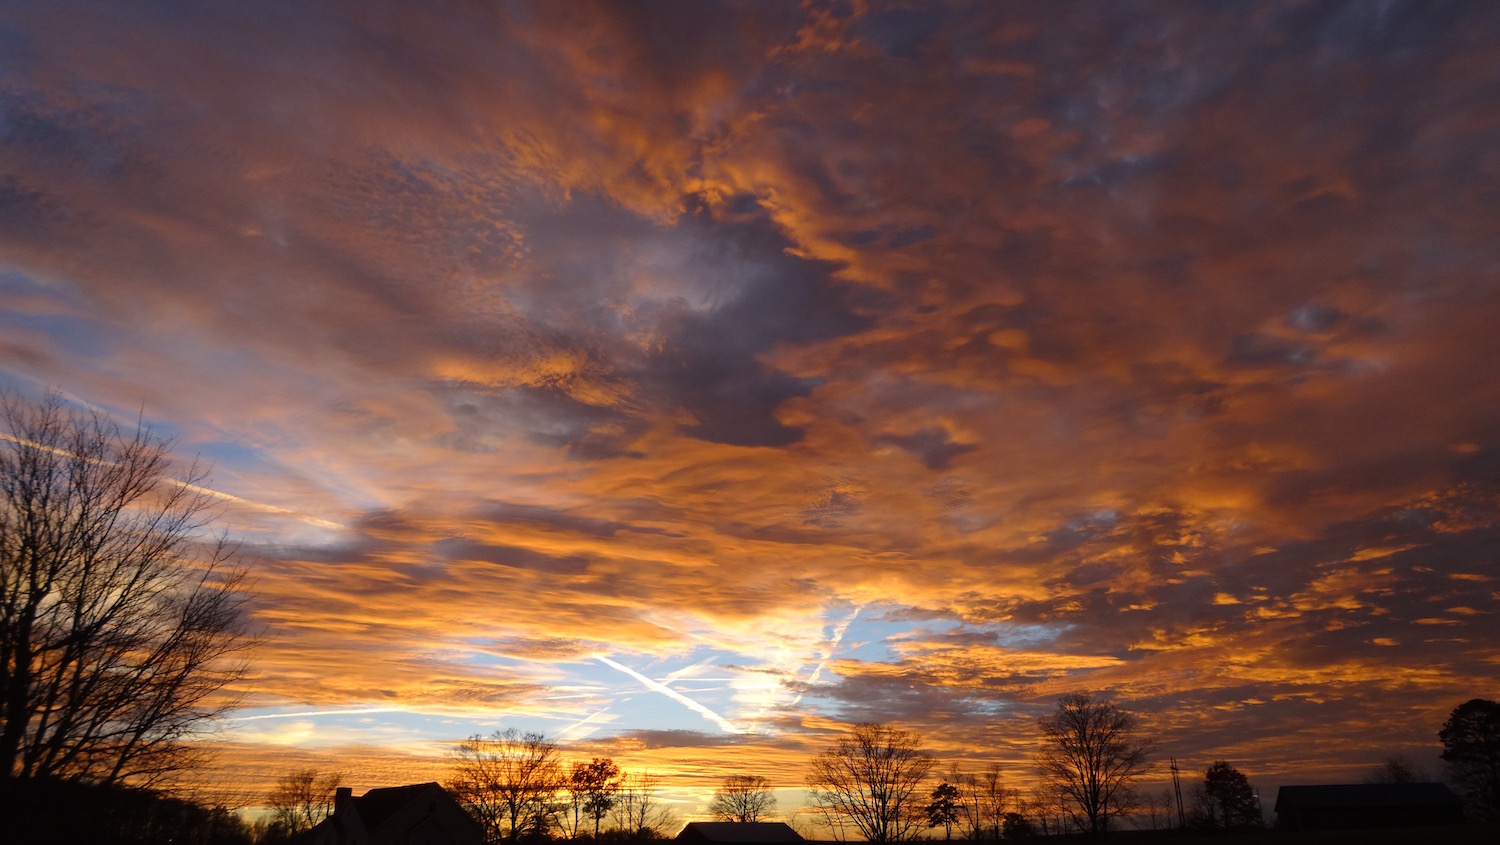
[{"x": 1091, "y": 756}]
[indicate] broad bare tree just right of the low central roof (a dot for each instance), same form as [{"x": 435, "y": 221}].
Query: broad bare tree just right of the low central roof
[{"x": 874, "y": 778}]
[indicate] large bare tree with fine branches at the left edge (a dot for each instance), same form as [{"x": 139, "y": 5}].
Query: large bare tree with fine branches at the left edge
[{"x": 121, "y": 621}]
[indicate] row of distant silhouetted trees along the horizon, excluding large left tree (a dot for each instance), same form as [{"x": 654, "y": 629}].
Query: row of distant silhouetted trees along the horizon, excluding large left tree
[{"x": 880, "y": 786}]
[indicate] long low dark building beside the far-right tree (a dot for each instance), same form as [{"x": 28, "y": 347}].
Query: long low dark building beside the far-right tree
[{"x": 1367, "y": 805}]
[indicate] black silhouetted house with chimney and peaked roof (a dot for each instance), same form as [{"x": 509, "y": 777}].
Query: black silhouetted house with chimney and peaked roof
[{"x": 421, "y": 814}]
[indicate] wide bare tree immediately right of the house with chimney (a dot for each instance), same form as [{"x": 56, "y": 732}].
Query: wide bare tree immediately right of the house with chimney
[{"x": 509, "y": 783}]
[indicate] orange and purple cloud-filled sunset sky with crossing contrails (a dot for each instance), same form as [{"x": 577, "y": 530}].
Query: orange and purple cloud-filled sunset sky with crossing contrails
[{"x": 689, "y": 382}]
